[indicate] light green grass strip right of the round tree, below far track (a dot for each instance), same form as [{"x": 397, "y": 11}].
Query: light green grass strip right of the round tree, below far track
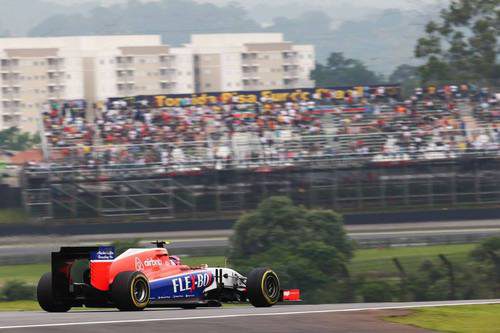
[{"x": 379, "y": 261}]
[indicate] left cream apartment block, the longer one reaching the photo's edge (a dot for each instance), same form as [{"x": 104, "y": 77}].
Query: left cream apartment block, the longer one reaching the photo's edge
[{"x": 34, "y": 71}]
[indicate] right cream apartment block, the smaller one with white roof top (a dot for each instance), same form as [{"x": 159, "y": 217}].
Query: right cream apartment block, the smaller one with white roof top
[{"x": 250, "y": 61}]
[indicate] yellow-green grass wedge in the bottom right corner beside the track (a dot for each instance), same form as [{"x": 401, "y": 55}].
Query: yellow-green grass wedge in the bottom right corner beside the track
[{"x": 457, "y": 319}]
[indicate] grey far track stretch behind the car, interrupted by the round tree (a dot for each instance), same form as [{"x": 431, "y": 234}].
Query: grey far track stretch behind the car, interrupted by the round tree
[{"x": 410, "y": 234}]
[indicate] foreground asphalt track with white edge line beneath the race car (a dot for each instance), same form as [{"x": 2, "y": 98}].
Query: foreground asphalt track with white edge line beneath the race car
[{"x": 282, "y": 318}]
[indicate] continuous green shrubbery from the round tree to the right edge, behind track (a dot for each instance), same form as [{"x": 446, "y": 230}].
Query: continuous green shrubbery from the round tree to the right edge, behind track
[{"x": 310, "y": 250}]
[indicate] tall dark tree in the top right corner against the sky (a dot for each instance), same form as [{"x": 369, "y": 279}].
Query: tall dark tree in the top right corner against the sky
[{"x": 463, "y": 44}]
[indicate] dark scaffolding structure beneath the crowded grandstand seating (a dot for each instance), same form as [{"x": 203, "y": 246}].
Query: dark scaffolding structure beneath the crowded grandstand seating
[{"x": 373, "y": 187}]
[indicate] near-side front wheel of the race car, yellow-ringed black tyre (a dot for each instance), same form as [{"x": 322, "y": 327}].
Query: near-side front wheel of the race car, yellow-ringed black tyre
[{"x": 263, "y": 287}]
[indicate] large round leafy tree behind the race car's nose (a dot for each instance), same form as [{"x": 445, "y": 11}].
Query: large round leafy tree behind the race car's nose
[{"x": 308, "y": 248}]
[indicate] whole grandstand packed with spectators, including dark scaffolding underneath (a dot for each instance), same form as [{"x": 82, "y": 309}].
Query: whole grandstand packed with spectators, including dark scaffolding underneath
[{"x": 365, "y": 149}]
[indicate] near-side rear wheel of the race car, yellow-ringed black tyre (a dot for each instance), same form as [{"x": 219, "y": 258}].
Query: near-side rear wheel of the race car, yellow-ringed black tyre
[{"x": 130, "y": 291}]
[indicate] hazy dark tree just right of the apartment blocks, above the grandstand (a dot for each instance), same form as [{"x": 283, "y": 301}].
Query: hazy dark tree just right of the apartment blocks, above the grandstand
[{"x": 342, "y": 71}]
